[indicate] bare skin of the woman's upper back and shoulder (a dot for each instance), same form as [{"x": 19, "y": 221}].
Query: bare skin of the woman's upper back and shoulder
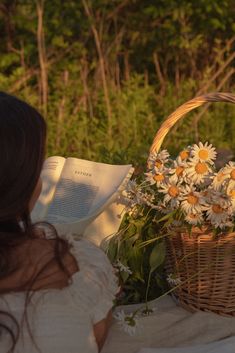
[{"x": 35, "y": 259}]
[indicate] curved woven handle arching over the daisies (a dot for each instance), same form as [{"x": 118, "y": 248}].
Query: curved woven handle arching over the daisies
[{"x": 183, "y": 110}]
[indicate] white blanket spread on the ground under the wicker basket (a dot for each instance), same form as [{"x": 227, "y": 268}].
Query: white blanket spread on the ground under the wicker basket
[{"x": 171, "y": 326}]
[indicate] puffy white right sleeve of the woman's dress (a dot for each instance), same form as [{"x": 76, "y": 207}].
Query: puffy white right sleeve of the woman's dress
[{"x": 95, "y": 284}]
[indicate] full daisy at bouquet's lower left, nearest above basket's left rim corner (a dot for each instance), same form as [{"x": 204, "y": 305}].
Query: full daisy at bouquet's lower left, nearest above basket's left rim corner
[{"x": 172, "y": 191}]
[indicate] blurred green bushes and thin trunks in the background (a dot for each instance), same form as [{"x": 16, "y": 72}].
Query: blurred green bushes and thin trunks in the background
[{"x": 106, "y": 73}]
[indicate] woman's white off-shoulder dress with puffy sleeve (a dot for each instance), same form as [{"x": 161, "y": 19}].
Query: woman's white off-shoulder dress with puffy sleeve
[{"x": 61, "y": 320}]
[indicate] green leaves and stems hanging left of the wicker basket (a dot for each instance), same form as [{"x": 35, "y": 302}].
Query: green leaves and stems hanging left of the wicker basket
[{"x": 138, "y": 248}]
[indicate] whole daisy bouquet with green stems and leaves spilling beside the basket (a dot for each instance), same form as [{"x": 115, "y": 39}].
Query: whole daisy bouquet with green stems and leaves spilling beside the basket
[{"x": 183, "y": 192}]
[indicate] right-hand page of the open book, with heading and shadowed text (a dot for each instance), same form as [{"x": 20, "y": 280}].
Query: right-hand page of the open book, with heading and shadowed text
[{"x": 84, "y": 189}]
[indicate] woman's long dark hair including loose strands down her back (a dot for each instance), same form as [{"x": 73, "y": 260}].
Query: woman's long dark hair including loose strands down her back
[{"x": 22, "y": 151}]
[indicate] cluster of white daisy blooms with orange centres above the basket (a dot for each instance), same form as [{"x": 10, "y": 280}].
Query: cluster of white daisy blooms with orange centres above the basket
[{"x": 189, "y": 188}]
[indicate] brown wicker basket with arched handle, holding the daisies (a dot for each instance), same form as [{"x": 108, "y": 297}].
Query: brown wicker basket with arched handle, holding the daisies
[{"x": 205, "y": 265}]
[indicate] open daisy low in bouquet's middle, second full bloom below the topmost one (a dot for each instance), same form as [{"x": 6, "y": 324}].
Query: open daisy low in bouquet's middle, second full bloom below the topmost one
[{"x": 191, "y": 200}]
